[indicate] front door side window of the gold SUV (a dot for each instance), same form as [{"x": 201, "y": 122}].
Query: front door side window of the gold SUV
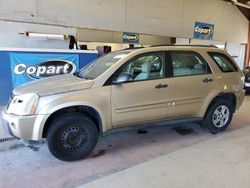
[{"x": 146, "y": 67}]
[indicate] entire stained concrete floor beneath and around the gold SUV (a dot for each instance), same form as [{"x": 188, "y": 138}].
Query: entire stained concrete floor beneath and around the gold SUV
[{"x": 163, "y": 157}]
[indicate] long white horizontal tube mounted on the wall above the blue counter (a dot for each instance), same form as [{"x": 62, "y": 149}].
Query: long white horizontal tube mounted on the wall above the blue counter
[{"x": 46, "y": 36}]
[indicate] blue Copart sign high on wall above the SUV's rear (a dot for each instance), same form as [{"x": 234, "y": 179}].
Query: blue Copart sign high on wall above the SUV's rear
[{"x": 203, "y": 31}]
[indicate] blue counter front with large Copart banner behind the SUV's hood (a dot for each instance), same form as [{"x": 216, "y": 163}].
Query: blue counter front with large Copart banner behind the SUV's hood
[{"x": 32, "y": 65}]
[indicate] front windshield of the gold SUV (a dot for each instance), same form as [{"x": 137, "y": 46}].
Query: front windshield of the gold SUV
[{"x": 99, "y": 66}]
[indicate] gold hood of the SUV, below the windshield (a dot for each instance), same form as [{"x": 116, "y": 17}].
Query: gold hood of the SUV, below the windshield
[{"x": 54, "y": 85}]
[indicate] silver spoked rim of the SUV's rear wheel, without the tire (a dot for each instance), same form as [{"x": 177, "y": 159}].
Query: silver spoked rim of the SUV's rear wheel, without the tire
[{"x": 221, "y": 116}]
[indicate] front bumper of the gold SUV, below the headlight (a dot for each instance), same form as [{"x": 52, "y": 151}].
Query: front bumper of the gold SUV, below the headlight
[{"x": 20, "y": 126}]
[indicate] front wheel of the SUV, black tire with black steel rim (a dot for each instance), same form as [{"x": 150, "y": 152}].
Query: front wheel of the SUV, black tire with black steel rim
[{"x": 72, "y": 136}]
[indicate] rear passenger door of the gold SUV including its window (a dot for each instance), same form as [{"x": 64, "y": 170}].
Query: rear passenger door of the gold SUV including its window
[{"x": 190, "y": 84}]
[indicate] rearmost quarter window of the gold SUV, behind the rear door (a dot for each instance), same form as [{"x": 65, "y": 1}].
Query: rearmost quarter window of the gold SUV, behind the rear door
[{"x": 224, "y": 62}]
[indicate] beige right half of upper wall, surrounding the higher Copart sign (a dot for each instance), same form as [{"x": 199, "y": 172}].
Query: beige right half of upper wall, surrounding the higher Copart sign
[{"x": 177, "y": 17}]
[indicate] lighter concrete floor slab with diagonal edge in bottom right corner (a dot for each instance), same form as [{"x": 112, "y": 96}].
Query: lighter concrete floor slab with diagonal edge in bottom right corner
[{"x": 220, "y": 162}]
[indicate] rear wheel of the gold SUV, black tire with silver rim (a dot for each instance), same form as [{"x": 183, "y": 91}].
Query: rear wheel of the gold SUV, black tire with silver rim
[{"x": 213, "y": 115}]
